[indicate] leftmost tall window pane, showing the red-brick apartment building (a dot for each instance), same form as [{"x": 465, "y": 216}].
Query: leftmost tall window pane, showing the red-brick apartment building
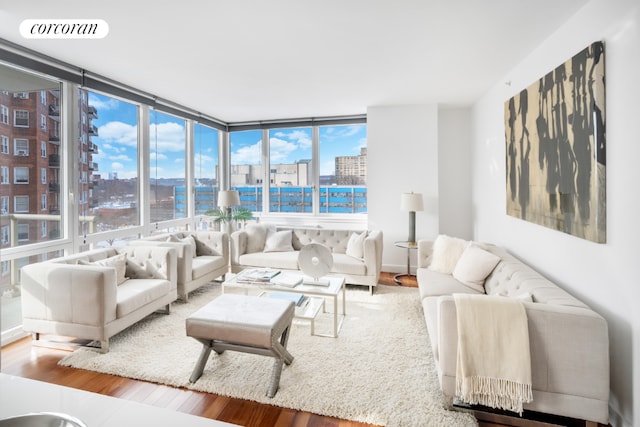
[{"x": 31, "y": 178}]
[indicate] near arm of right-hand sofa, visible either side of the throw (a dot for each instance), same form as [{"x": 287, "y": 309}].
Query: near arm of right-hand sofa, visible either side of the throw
[{"x": 569, "y": 348}]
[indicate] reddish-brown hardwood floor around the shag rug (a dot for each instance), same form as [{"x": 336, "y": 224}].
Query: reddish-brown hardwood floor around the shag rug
[{"x": 24, "y": 360}]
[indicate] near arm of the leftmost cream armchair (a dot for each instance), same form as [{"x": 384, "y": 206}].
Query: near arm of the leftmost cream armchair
[{"x": 68, "y": 293}]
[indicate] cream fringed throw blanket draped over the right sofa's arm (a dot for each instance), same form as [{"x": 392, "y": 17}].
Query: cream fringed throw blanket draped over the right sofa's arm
[{"x": 494, "y": 364}]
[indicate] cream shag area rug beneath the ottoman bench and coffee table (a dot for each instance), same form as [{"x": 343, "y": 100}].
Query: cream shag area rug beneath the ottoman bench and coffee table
[{"x": 380, "y": 370}]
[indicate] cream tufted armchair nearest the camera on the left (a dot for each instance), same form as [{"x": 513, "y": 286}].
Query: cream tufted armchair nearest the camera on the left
[{"x": 97, "y": 293}]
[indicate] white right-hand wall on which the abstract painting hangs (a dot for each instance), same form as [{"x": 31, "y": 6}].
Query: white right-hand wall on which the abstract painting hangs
[{"x": 605, "y": 276}]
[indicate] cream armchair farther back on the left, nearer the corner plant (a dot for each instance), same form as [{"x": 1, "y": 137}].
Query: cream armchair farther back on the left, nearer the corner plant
[{"x": 202, "y": 256}]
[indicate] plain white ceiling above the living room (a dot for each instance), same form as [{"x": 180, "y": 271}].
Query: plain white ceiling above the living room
[{"x": 247, "y": 60}]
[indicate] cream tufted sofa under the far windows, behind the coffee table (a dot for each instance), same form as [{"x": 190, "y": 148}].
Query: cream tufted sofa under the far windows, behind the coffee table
[{"x": 248, "y": 245}]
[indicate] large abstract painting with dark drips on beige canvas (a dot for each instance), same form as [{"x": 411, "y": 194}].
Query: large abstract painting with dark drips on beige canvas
[{"x": 556, "y": 148}]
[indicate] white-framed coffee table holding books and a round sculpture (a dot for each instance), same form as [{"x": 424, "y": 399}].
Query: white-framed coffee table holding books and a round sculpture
[{"x": 316, "y": 296}]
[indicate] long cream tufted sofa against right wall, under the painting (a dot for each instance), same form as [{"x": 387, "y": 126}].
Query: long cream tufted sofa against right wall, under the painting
[{"x": 569, "y": 342}]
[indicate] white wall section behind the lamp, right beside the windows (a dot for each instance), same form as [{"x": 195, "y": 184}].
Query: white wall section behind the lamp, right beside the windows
[{"x": 402, "y": 149}]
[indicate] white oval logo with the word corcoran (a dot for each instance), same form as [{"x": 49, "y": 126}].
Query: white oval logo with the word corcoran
[{"x": 64, "y": 29}]
